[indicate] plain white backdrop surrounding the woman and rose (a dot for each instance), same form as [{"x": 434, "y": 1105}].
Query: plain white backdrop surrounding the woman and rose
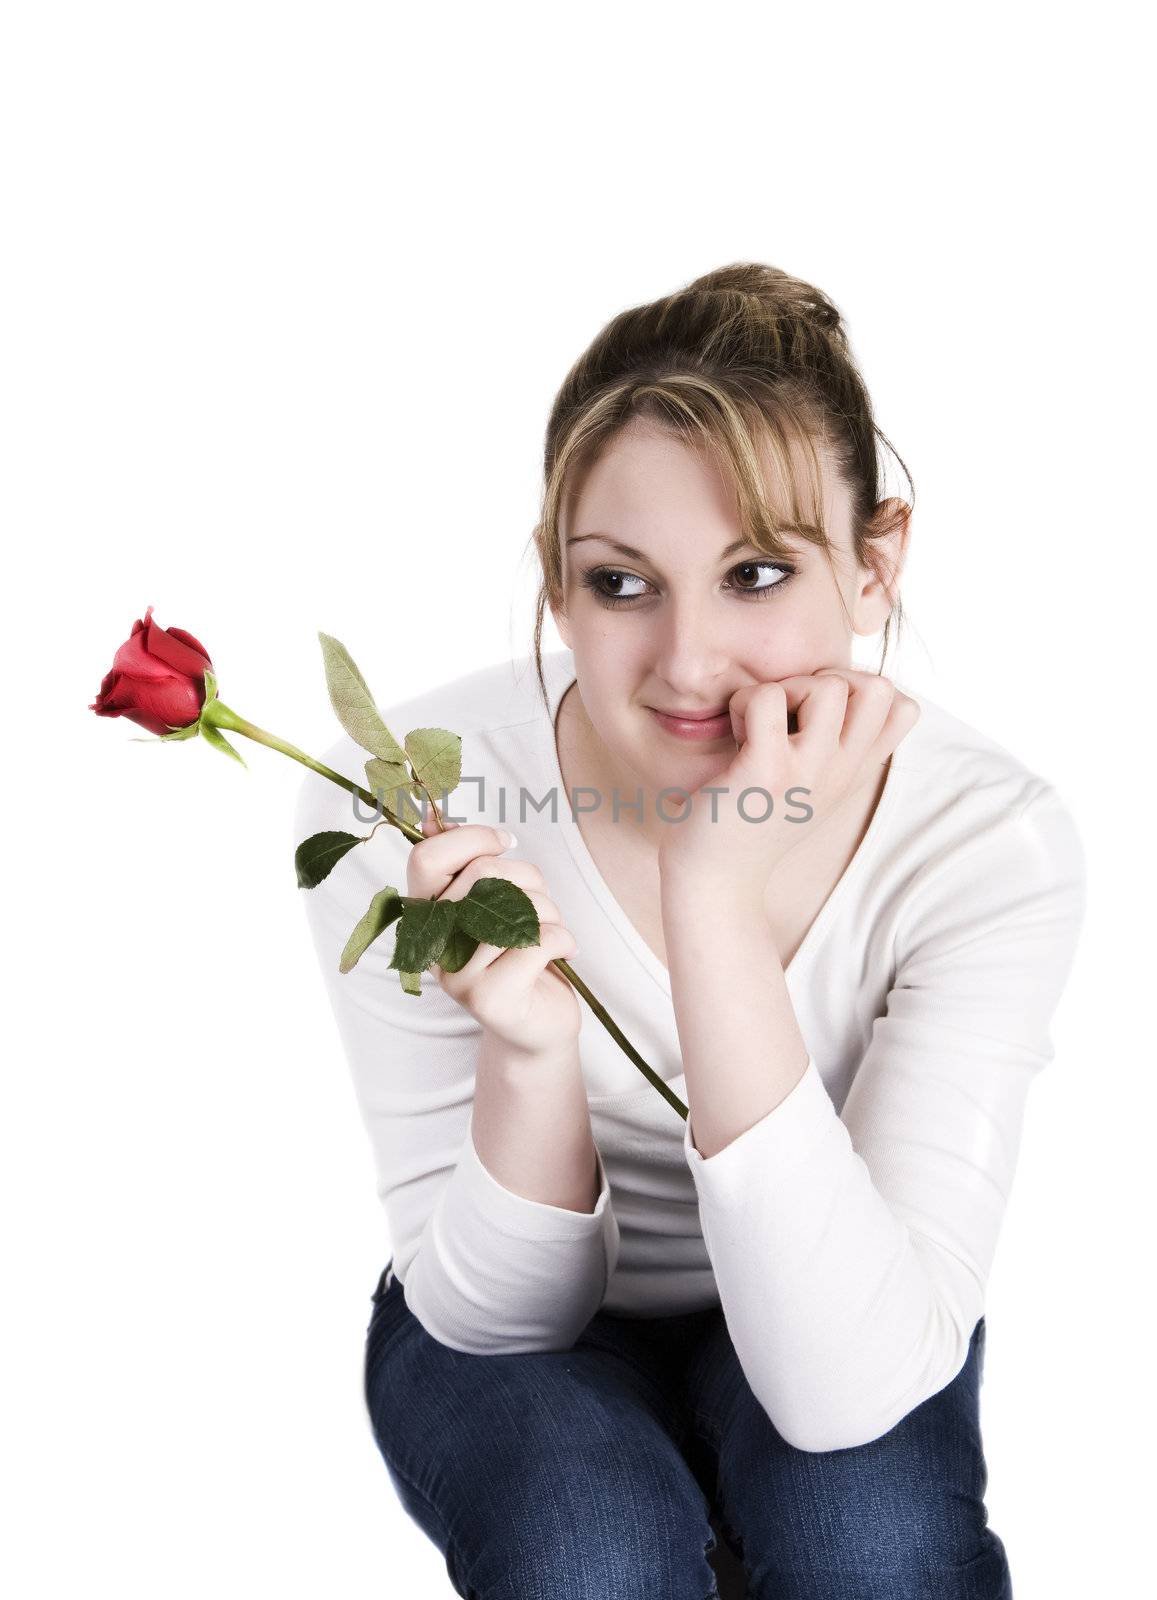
[{"x": 290, "y": 290}]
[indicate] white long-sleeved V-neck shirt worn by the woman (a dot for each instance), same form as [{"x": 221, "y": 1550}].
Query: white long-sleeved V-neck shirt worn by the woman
[{"x": 851, "y": 1233}]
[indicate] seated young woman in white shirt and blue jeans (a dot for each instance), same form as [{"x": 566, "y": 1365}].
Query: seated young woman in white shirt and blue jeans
[{"x": 830, "y": 914}]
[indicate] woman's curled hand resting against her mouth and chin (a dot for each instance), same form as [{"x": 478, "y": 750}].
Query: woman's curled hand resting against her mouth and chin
[{"x": 849, "y": 726}]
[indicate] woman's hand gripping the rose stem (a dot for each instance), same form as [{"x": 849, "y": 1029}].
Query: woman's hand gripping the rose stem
[{"x": 514, "y": 994}]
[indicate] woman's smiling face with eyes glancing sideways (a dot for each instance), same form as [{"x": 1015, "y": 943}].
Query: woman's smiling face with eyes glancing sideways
[{"x": 702, "y": 614}]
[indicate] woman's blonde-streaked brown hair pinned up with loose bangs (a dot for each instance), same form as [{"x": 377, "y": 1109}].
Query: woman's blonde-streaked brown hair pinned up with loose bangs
[{"x": 742, "y": 358}]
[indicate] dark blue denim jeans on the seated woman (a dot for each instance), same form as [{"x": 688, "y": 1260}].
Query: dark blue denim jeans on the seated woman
[{"x": 591, "y": 1474}]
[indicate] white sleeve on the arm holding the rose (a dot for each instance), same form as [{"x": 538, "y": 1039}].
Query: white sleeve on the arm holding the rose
[{"x": 484, "y": 1270}]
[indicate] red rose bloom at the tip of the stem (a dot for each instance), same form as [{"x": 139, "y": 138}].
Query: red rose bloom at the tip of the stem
[{"x": 158, "y": 679}]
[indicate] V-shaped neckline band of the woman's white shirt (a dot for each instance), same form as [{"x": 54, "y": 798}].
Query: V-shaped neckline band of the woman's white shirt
[{"x": 559, "y": 673}]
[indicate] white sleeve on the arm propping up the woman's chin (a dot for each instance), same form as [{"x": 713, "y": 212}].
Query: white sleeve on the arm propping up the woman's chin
[{"x": 852, "y": 1252}]
